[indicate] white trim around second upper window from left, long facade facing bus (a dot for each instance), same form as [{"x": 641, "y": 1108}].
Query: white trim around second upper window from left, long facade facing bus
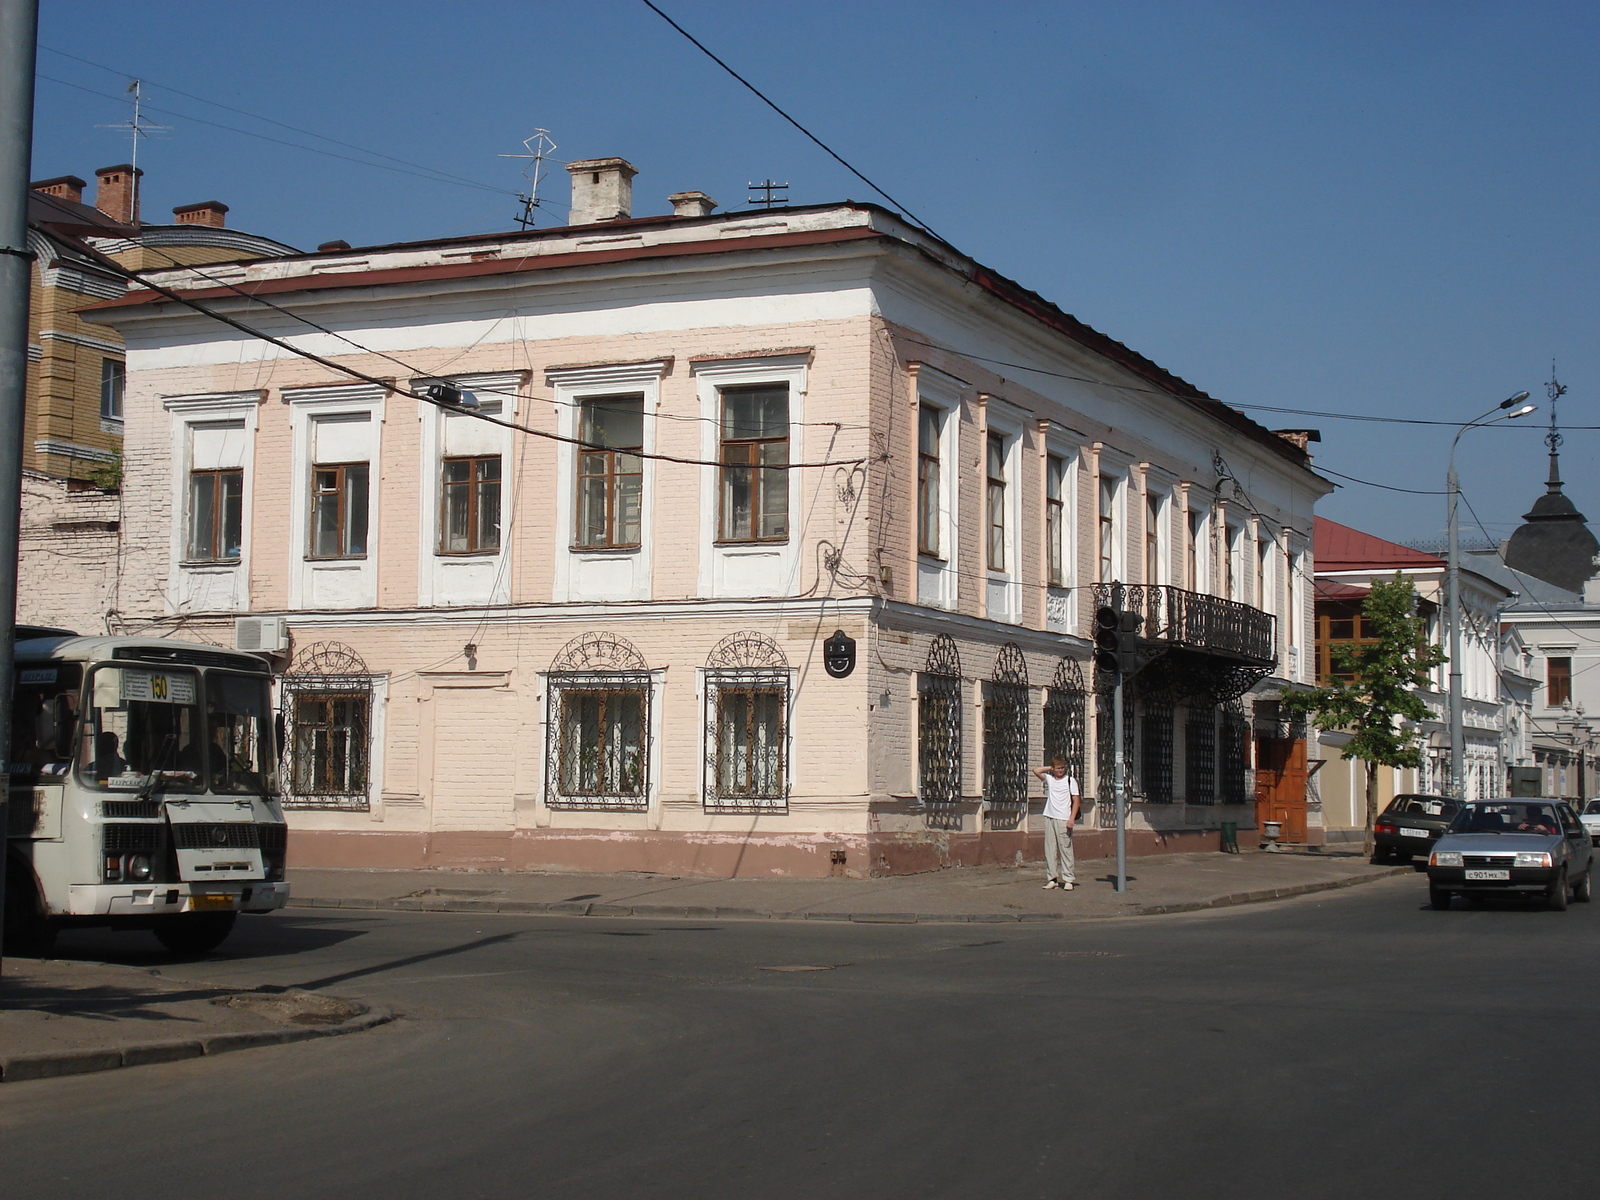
[{"x": 308, "y": 404}]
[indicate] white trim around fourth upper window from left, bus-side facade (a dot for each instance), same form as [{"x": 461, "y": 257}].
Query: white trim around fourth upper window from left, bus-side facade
[{"x": 572, "y": 386}]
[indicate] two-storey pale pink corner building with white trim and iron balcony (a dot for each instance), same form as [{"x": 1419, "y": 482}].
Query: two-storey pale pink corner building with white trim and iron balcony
[{"x": 577, "y": 618}]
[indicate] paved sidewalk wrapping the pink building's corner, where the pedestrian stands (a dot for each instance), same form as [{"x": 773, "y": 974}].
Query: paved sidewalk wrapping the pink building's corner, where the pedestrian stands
[{"x": 1158, "y": 884}]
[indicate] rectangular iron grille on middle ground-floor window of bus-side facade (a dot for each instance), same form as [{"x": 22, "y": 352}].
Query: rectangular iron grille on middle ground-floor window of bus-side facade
[{"x": 599, "y": 742}]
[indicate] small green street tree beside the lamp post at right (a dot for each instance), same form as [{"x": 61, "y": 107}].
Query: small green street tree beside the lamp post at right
[{"x": 1374, "y": 697}]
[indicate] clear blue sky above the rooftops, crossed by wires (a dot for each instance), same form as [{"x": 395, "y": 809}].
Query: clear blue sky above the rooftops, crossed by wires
[{"x": 1377, "y": 209}]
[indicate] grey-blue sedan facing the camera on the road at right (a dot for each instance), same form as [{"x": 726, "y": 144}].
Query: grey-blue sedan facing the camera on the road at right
[{"x": 1513, "y": 849}]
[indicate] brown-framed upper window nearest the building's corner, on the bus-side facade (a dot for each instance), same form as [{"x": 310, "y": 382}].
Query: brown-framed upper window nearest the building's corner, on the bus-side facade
[{"x": 754, "y": 465}]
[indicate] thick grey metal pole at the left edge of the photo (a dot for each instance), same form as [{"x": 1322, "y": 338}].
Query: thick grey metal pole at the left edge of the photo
[{"x": 18, "y": 50}]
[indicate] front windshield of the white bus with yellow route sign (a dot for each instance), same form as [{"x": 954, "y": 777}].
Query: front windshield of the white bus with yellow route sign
[{"x": 143, "y": 721}]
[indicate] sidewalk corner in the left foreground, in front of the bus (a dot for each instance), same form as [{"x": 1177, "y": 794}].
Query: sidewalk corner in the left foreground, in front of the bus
[{"x": 68, "y": 1018}]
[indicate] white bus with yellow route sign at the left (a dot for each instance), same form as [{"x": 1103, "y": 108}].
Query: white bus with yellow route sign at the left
[{"x": 143, "y": 791}]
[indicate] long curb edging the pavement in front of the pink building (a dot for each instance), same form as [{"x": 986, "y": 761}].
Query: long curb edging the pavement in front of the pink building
[{"x": 702, "y": 913}]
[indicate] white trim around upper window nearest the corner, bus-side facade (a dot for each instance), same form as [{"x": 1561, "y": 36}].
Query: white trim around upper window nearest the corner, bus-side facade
[{"x": 711, "y": 377}]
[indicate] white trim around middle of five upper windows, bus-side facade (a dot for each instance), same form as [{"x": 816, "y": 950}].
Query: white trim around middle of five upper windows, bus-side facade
[{"x": 503, "y": 388}]
